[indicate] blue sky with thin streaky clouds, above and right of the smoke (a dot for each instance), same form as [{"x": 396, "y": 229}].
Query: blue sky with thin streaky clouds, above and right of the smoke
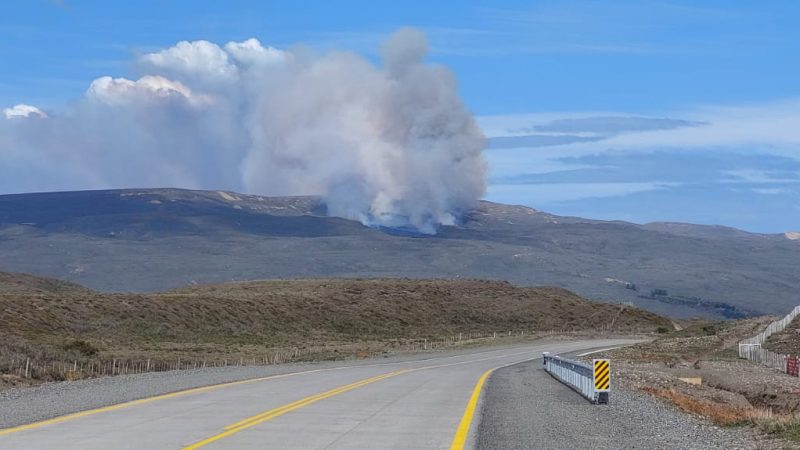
[{"x": 633, "y": 110}]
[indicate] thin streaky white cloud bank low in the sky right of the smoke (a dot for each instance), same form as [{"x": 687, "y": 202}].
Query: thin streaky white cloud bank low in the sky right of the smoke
[{"x": 731, "y": 148}]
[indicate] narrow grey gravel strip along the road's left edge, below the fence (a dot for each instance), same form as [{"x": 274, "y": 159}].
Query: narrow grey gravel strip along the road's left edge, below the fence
[{"x": 26, "y": 405}]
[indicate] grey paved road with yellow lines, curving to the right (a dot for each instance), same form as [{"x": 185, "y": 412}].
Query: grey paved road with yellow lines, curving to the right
[{"x": 421, "y": 404}]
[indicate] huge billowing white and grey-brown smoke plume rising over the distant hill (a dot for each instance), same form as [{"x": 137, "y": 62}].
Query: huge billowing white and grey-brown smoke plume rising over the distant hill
[{"x": 389, "y": 145}]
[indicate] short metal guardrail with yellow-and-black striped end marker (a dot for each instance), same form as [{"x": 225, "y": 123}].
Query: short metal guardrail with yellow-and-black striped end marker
[{"x": 591, "y": 382}]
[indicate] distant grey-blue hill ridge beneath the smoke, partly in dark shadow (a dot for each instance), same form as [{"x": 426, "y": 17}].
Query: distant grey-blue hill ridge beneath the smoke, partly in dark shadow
[{"x": 145, "y": 240}]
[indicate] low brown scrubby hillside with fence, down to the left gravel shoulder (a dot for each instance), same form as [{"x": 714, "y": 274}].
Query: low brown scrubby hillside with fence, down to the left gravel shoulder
[{"x": 315, "y": 318}]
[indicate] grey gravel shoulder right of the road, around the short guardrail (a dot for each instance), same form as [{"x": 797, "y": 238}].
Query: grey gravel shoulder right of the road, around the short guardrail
[{"x": 525, "y": 408}]
